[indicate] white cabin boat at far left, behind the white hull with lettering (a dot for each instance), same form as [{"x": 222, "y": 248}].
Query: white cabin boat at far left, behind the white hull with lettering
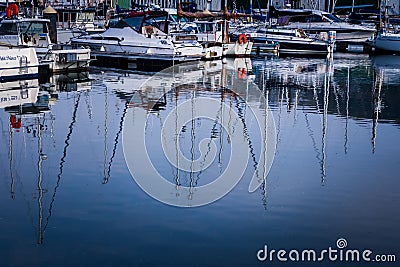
[{"x": 33, "y": 32}]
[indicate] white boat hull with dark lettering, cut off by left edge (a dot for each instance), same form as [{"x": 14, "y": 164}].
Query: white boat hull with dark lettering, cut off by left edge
[{"x": 18, "y": 63}]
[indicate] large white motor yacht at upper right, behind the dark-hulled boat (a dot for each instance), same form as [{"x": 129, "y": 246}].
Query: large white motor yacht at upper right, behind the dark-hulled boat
[{"x": 316, "y": 21}]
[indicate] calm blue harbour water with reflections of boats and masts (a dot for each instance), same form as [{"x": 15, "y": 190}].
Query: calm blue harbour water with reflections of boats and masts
[{"x": 68, "y": 198}]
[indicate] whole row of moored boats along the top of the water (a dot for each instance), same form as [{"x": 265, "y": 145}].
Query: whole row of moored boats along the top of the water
[{"x": 154, "y": 39}]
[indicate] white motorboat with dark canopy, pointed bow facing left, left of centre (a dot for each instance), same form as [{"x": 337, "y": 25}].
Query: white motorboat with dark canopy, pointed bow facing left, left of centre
[{"x": 140, "y": 41}]
